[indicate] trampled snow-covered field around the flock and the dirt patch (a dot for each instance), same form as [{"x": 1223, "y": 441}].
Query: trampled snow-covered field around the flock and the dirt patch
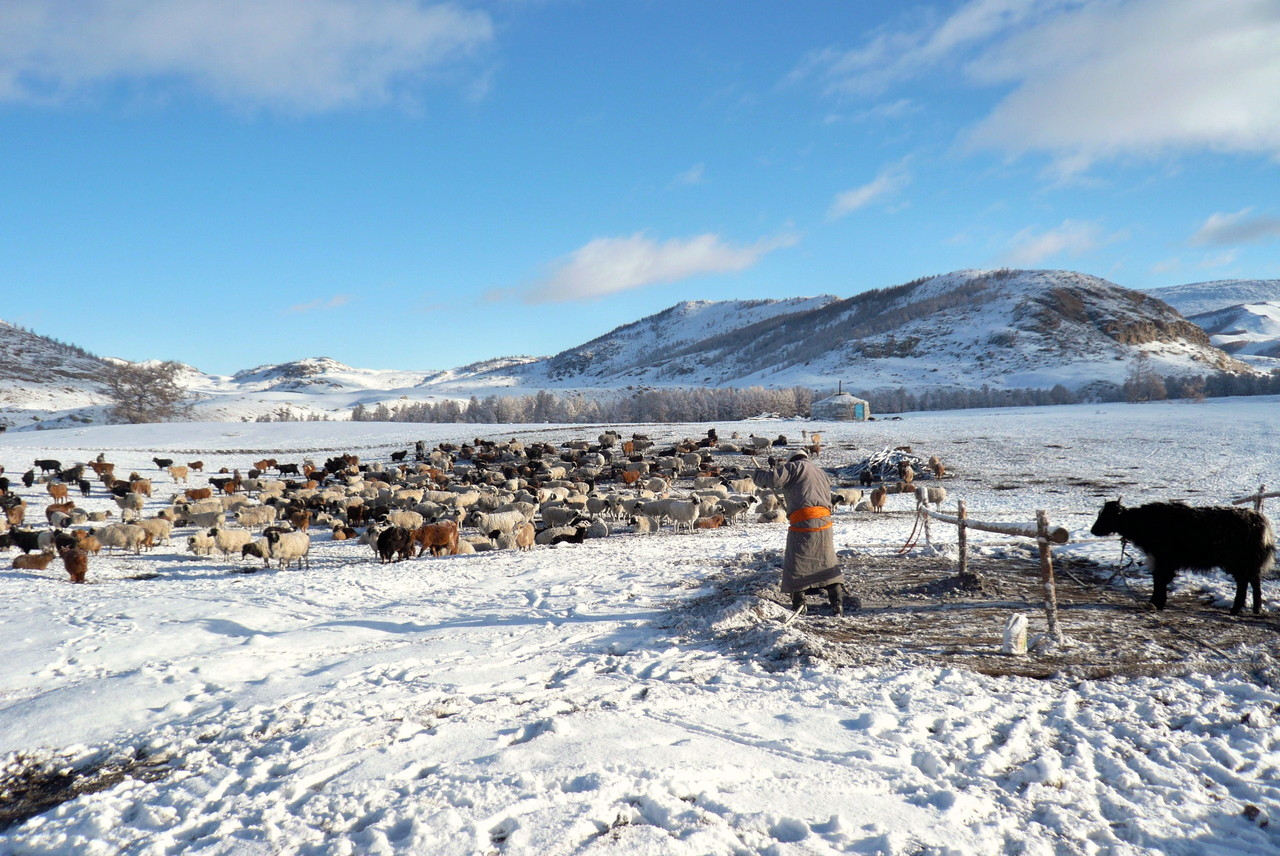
[{"x": 563, "y": 702}]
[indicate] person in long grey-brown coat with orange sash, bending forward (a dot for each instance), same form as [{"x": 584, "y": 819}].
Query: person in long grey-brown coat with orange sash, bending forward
[{"x": 811, "y": 556}]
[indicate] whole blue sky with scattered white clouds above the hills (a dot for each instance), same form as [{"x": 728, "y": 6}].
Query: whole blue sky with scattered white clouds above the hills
[{"x": 417, "y": 185}]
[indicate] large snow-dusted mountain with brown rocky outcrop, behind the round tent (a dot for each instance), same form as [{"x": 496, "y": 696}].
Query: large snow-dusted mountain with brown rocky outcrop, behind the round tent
[{"x": 967, "y": 328}]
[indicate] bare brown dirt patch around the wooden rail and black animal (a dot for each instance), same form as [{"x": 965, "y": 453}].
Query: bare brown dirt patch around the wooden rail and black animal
[{"x": 917, "y": 611}]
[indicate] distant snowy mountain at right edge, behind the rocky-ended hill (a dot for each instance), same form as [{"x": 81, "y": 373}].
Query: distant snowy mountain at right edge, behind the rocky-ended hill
[{"x": 1242, "y": 317}]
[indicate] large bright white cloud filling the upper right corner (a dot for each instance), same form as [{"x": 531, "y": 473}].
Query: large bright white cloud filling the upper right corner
[{"x": 1091, "y": 80}]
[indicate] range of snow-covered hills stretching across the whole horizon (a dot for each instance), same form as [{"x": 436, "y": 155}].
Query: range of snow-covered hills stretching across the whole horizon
[{"x": 964, "y": 329}]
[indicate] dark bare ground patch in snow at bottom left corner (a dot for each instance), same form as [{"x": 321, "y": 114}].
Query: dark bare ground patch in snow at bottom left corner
[{"x": 31, "y": 786}]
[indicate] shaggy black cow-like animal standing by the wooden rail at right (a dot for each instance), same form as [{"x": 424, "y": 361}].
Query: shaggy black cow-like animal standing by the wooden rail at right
[{"x": 1176, "y": 537}]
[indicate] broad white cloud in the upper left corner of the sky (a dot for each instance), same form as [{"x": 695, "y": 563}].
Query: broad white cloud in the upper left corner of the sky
[{"x": 300, "y": 56}]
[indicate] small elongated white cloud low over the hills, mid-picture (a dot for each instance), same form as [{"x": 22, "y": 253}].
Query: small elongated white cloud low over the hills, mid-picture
[{"x": 609, "y": 266}]
